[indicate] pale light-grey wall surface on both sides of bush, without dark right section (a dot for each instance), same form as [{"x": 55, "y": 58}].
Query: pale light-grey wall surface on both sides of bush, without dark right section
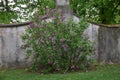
[{"x": 11, "y": 53}]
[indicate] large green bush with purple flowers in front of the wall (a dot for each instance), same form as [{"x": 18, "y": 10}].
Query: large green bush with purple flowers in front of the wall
[{"x": 57, "y": 45}]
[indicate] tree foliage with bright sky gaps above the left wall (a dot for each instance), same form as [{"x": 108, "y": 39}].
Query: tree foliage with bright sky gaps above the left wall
[{"x": 12, "y": 11}]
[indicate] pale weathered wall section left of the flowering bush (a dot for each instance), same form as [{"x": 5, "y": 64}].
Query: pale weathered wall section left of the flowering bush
[{"x": 11, "y": 53}]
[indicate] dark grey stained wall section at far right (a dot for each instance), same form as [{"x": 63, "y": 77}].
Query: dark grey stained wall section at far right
[{"x": 109, "y": 45}]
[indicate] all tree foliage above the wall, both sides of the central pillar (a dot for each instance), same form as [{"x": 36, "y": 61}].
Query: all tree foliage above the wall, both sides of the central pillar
[{"x": 102, "y": 11}]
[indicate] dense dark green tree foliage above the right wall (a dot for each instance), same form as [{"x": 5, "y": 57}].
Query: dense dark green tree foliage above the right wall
[{"x": 102, "y": 11}]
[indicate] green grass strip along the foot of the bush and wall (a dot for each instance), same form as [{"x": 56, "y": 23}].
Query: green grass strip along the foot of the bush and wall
[{"x": 105, "y": 72}]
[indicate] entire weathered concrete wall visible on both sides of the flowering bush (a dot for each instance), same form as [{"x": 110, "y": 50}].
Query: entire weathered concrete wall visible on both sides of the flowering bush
[{"x": 106, "y": 43}]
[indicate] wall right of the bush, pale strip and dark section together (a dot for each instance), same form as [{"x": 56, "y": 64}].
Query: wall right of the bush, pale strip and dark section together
[{"x": 106, "y": 41}]
